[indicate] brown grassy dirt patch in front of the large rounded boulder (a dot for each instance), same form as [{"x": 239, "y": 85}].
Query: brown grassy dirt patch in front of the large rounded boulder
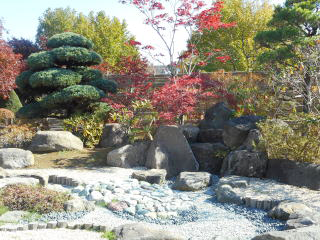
[{"x": 86, "y": 158}]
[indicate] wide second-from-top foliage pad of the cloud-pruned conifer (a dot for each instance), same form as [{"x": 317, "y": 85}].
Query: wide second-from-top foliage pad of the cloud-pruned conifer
[{"x": 76, "y": 56}]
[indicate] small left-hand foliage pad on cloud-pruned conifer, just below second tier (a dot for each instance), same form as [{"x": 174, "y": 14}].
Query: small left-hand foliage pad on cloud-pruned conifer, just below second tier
[{"x": 40, "y": 60}]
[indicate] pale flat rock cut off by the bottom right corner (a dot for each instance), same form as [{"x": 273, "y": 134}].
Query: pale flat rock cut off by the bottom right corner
[{"x": 306, "y": 233}]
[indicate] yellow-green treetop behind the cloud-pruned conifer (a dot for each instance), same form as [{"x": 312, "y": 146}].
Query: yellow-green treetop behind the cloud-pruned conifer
[{"x": 108, "y": 35}]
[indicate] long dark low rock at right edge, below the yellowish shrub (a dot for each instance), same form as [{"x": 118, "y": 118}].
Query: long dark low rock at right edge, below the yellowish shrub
[{"x": 294, "y": 173}]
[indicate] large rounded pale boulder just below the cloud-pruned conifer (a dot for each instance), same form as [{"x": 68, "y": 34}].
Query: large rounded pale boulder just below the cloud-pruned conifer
[{"x": 54, "y": 141}]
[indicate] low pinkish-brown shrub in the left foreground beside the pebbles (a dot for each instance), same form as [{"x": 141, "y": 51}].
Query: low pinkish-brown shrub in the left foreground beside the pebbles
[{"x": 32, "y": 198}]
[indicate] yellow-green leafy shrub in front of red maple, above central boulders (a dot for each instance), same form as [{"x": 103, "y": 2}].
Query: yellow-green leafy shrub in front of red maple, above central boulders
[{"x": 140, "y": 122}]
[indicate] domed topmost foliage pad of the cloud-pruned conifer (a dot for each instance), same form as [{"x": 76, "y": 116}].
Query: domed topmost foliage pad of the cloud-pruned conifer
[{"x": 69, "y": 39}]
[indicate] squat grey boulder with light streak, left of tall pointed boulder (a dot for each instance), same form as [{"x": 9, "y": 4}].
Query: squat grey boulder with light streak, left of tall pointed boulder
[{"x": 128, "y": 156}]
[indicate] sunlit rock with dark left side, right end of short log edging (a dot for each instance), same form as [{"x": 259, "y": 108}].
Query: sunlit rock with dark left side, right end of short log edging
[{"x": 287, "y": 208}]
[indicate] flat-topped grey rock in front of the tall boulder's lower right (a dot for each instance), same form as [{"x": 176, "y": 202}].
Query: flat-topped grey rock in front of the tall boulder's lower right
[{"x": 192, "y": 181}]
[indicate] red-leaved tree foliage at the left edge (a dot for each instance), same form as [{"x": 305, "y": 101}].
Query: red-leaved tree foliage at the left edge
[{"x": 10, "y": 67}]
